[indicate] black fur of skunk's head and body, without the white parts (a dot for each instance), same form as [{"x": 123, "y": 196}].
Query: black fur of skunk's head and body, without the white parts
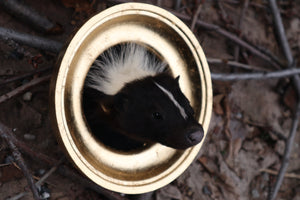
[{"x": 141, "y": 113}]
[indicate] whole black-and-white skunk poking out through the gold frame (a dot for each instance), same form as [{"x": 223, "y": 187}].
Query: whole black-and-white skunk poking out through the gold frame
[{"x": 131, "y": 99}]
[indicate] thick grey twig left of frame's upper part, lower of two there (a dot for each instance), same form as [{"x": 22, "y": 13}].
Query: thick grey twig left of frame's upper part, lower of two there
[{"x": 30, "y": 40}]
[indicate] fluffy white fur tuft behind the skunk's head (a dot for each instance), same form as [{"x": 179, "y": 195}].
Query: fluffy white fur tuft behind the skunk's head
[{"x": 115, "y": 69}]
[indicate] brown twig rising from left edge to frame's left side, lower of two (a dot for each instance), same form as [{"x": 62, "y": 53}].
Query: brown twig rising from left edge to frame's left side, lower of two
[{"x": 23, "y": 88}]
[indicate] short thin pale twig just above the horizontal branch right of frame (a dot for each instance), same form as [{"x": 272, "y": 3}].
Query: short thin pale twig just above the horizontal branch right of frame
[{"x": 235, "y": 64}]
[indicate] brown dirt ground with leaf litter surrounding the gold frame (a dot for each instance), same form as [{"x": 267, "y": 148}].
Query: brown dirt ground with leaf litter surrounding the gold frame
[{"x": 247, "y": 118}]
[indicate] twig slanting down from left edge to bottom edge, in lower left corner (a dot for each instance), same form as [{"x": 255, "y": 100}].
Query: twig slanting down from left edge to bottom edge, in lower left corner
[{"x": 7, "y": 135}]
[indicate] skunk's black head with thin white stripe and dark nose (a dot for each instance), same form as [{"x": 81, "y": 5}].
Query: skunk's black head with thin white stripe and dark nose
[{"x": 154, "y": 109}]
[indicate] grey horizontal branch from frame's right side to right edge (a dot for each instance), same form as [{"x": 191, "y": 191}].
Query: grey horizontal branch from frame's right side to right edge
[{"x": 255, "y": 76}]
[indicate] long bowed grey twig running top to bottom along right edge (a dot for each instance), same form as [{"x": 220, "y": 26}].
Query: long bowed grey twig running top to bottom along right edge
[{"x": 296, "y": 80}]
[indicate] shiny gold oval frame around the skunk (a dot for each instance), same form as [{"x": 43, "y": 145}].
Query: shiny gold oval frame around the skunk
[{"x": 156, "y": 28}]
